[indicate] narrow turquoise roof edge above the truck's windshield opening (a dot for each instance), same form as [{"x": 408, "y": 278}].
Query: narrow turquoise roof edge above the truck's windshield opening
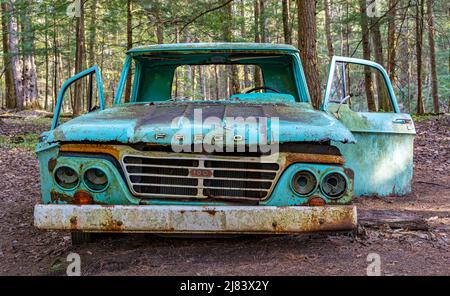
[{"x": 213, "y": 47}]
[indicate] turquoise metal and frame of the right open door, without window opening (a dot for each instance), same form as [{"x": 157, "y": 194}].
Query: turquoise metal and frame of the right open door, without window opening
[{"x": 382, "y": 158}]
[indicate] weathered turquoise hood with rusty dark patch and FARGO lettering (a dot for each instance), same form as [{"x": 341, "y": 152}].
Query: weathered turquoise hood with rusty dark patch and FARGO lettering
[{"x": 158, "y": 123}]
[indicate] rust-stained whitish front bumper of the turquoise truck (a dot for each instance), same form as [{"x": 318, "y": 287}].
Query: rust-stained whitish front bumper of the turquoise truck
[{"x": 194, "y": 219}]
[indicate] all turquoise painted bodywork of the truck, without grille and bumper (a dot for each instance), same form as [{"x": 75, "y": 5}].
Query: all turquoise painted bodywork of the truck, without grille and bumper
[{"x": 379, "y": 140}]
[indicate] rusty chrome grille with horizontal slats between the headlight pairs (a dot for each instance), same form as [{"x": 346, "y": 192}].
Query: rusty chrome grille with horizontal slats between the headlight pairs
[{"x": 179, "y": 176}]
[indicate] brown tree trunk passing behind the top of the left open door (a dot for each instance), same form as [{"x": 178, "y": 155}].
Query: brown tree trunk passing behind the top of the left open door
[{"x": 79, "y": 62}]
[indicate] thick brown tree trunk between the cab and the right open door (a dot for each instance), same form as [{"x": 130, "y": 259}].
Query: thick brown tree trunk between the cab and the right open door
[{"x": 308, "y": 48}]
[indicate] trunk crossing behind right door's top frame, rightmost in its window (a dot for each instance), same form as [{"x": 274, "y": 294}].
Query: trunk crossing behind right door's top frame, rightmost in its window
[{"x": 383, "y": 104}]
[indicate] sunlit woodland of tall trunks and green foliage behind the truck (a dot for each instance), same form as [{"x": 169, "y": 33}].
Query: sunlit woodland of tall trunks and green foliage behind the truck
[{"x": 45, "y": 42}]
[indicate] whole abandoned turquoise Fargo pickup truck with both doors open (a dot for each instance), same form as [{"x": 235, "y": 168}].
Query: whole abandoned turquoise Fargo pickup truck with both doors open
[{"x": 222, "y": 138}]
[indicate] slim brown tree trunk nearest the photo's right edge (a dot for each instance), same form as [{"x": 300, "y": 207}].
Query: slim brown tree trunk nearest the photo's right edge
[{"x": 434, "y": 81}]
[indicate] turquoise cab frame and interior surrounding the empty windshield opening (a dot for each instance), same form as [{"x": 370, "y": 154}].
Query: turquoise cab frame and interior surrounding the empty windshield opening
[{"x": 283, "y": 72}]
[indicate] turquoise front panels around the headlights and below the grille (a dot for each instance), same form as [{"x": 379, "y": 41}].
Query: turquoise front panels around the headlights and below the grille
[{"x": 117, "y": 192}]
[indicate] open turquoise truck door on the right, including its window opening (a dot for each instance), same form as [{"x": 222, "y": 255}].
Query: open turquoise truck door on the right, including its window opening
[{"x": 360, "y": 95}]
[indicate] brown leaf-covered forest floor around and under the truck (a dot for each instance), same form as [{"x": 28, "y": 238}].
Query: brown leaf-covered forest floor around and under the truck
[{"x": 24, "y": 250}]
